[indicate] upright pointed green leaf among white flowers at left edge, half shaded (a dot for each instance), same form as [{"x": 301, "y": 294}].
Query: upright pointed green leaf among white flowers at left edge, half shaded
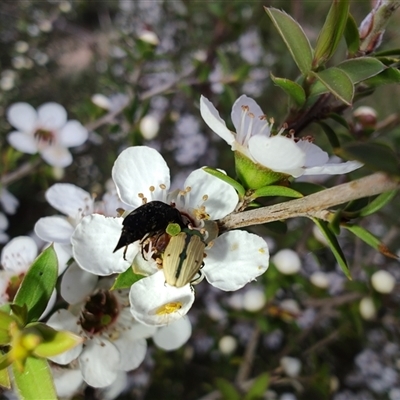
[{"x": 38, "y": 284}]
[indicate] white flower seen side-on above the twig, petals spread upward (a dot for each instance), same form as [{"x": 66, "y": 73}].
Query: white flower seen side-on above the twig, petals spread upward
[{"x": 278, "y": 153}]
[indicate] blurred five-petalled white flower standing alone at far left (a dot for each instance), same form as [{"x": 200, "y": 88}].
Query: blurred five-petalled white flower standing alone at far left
[{"x": 45, "y": 131}]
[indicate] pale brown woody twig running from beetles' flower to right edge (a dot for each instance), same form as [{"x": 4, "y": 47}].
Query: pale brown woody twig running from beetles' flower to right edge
[{"x": 315, "y": 205}]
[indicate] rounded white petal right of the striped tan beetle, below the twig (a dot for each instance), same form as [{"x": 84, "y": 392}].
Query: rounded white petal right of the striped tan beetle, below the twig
[{"x": 236, "y": 258}]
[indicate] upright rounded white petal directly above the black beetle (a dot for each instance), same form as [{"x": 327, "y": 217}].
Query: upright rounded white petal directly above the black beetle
[{"x": 141, "y": 169}]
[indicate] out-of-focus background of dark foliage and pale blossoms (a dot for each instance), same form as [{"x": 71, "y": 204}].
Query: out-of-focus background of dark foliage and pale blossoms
[{"x": 142, "y": 65}]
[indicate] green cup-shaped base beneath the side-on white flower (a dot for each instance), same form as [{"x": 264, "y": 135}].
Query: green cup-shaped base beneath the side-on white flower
[{"x": 253, "y": 175}]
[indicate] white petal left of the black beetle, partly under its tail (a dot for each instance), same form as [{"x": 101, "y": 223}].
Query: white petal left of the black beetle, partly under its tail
[{"x": 94, "y": 241}]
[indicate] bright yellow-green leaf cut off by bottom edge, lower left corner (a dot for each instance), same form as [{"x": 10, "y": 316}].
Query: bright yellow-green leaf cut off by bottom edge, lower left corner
[{"x": 35, "y": 381}]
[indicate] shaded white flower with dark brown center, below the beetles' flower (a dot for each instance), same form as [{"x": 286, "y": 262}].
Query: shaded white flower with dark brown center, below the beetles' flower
[{"x": 114, "y": 342}]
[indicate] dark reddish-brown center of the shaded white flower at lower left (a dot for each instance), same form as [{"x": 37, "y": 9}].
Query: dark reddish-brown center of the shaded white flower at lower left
[{"x": 99, "y": 312}]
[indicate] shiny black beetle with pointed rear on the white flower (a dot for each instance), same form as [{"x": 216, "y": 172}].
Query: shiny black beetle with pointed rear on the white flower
[{"x": 148, "y": 220}]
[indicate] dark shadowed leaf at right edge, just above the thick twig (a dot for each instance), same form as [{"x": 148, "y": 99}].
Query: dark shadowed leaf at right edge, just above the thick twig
[{"x": 375, "y": 156}]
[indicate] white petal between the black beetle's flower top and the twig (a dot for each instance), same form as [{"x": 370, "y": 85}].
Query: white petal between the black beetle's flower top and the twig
[{"x": 221, "y": 197}]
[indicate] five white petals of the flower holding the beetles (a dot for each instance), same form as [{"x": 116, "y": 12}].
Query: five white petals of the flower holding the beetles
[{"x": 232, "y": 259}]
